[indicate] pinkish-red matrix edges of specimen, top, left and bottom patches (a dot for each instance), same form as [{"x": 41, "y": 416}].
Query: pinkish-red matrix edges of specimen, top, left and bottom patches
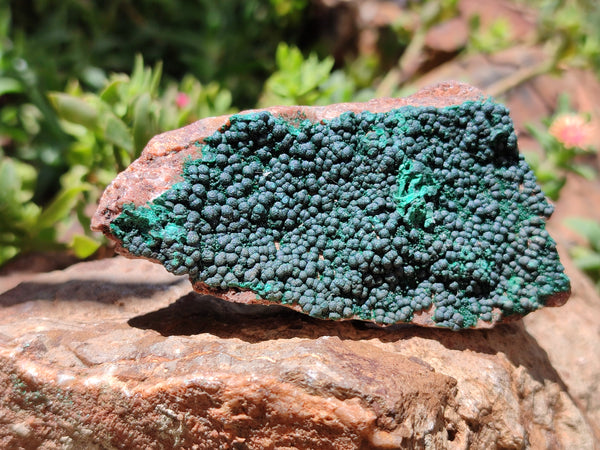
[{"x": 161, "y": 164}]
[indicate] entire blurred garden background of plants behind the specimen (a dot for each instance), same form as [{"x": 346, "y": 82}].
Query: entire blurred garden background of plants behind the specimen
[{"x": 85, "y": 84}]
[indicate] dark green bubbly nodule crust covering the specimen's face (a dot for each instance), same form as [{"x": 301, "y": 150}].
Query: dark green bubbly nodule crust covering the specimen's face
[{"x": 375, "y": 216}]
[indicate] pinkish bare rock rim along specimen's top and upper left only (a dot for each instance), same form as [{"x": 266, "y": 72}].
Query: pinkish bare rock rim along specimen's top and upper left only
[{"x": 159, "y": 166}]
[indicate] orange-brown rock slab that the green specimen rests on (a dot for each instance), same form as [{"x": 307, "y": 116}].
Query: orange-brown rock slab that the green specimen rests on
[{"x": 118, "y": 353}]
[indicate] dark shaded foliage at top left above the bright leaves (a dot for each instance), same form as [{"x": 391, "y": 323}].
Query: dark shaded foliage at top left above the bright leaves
[{"x": 229, "y": 41}]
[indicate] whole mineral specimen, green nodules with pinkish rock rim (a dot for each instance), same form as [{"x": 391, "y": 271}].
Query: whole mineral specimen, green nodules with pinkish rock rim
[{"x": 160, "y": 167}]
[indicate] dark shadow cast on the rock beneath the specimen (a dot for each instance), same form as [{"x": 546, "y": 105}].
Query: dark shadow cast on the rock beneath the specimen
[{"x": 197, "y": 314}]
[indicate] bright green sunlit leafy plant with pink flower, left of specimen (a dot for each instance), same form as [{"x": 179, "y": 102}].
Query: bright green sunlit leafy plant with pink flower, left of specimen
[{"x": 107, "y": 131}]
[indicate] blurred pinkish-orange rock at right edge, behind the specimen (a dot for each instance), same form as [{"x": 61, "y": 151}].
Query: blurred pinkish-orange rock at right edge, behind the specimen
[{"x": 575, "y": 351}]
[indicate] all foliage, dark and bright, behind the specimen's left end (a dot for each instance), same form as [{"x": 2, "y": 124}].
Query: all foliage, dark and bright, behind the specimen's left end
[{"x": 60, "y": 150}]
